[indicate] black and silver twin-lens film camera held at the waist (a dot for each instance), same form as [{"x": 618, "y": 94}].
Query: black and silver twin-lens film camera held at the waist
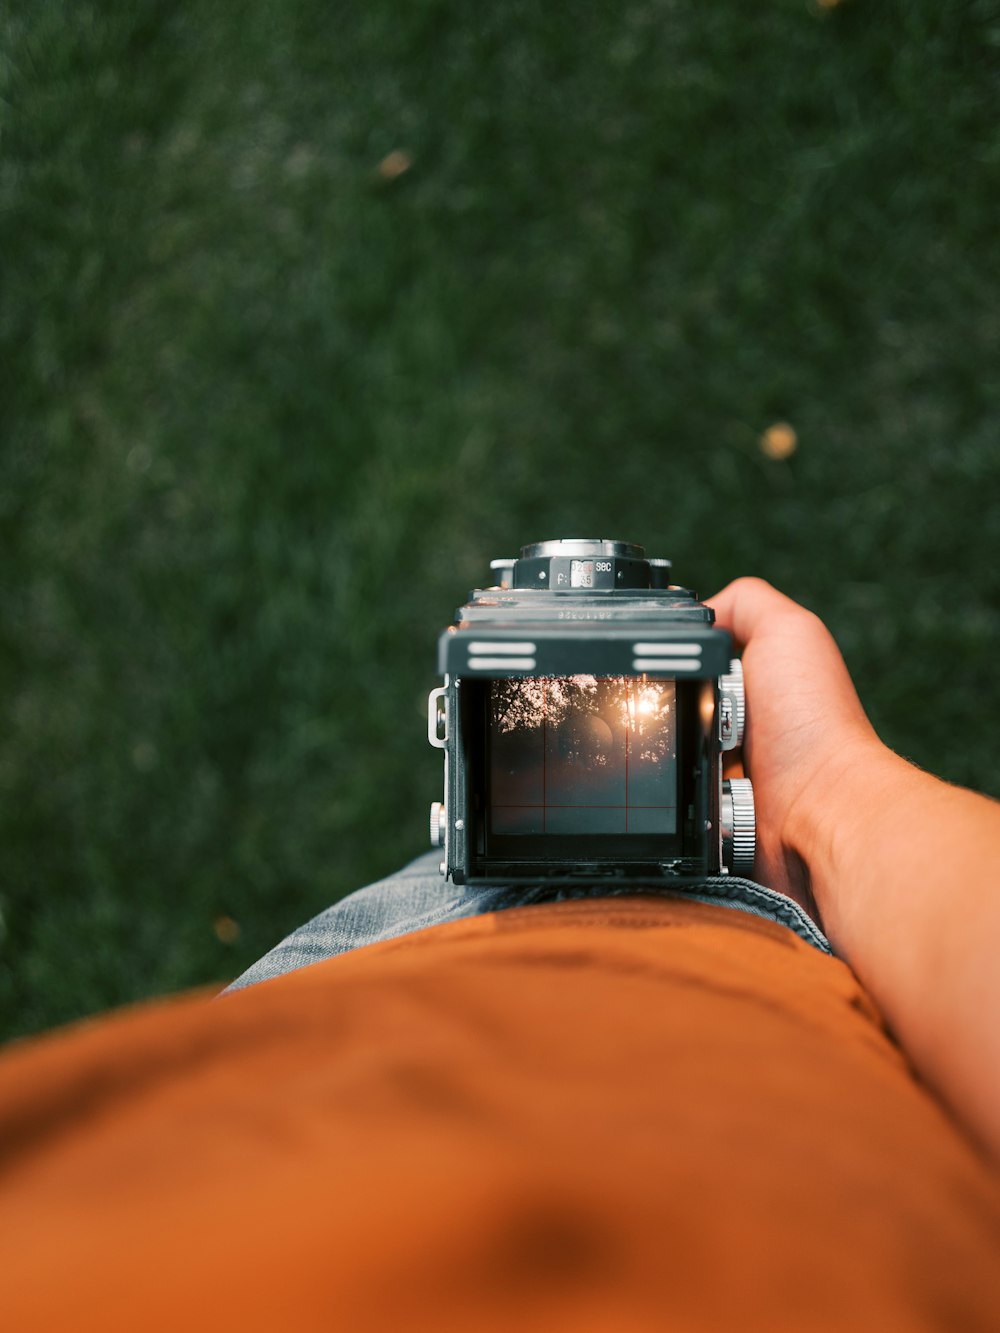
[{"x": 586, "y": 707}]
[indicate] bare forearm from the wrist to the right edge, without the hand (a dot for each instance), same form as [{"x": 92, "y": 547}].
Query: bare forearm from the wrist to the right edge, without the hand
[{"x": 901, "y": 867}]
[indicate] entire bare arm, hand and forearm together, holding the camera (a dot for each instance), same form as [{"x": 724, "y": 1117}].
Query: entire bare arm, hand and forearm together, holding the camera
[{"x": 899, "y": 866}]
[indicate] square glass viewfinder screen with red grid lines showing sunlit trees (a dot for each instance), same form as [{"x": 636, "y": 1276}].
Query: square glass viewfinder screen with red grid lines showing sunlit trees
[{"x": 583, "y": 755}]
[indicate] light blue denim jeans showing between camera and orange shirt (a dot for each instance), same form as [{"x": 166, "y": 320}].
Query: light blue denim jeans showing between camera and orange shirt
[{"x": 418, "y": 898}]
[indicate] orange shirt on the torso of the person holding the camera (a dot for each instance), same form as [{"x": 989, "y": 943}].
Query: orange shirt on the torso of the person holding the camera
[{"x": 633, "y": 1114}]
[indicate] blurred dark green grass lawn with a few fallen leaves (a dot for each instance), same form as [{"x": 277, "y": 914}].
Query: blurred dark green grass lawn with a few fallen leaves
[{"x": 311, "y": 310}]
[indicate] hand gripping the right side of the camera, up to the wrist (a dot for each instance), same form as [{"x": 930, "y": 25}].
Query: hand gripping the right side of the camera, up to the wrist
[{"x": 806, "y": 728}]
